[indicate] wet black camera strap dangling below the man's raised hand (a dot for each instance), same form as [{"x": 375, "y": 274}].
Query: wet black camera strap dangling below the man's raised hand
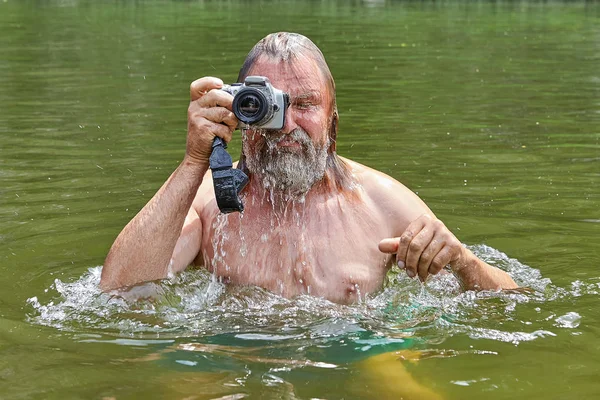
[{"x": 228, "y": 182}]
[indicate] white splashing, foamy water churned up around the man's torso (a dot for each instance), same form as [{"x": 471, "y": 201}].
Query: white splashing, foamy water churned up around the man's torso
[{"x": 195, "y": 304}]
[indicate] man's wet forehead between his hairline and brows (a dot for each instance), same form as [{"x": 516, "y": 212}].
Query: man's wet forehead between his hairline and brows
[{"x": 297, "y": 77}]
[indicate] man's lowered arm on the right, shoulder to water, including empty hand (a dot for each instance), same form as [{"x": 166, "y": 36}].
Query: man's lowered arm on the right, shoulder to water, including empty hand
[{"x": 424, "y": 245}]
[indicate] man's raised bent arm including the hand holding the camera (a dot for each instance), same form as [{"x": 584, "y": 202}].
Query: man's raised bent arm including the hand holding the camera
[{"x": 154, "y": 243}]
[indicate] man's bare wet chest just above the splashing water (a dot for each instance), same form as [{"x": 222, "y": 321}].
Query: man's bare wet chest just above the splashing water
[{"x": 325, "y": 253}]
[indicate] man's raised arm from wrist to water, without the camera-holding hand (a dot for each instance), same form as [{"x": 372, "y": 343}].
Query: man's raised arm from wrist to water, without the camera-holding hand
[{"x": 144, "y": 250}]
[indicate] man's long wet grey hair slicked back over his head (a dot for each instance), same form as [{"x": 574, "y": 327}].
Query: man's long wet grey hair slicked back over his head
[{"x": 288, "y": 48}]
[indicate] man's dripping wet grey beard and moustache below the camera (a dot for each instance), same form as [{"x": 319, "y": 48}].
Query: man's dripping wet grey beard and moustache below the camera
[{"x": 283, "y": 171}]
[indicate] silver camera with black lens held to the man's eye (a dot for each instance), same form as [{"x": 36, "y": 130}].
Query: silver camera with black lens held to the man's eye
[{"x": 257, "y": 103}]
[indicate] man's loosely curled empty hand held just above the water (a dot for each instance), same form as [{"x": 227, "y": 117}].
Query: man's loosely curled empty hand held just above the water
[{"x": 425, "y": 247}]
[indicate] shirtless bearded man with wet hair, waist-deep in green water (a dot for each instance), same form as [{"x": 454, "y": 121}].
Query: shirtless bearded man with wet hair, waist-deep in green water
[{"x": 314, "y": 222}]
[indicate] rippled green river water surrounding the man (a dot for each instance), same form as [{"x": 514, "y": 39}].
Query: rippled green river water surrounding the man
[{"x": 490, "y": 111}]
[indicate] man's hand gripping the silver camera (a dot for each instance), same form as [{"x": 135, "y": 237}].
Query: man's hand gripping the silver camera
[{"x": 209, "y": 115}]
